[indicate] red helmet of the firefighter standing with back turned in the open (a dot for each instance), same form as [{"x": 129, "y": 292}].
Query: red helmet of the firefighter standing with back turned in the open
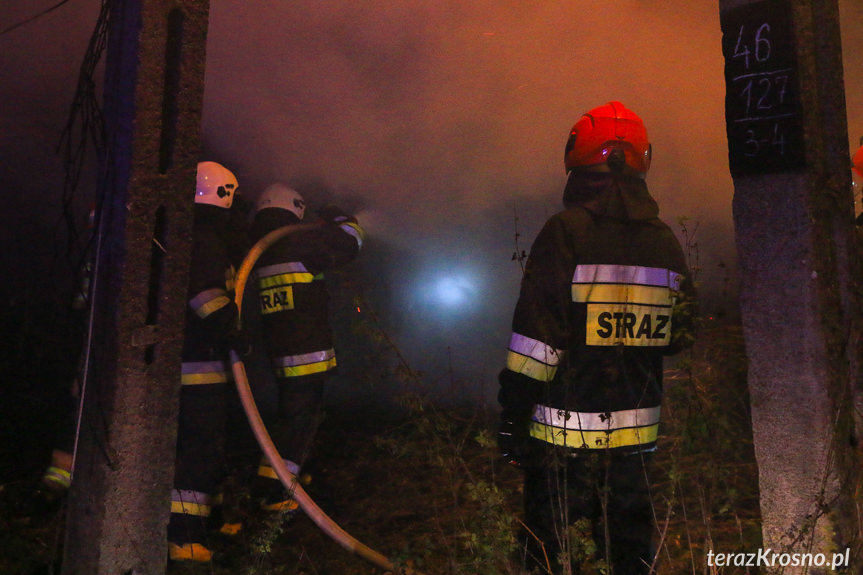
[{"x": 611, "y": 136}]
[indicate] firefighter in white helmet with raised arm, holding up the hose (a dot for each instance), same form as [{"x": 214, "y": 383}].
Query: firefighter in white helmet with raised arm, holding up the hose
[{"x": 294, "y": 322}]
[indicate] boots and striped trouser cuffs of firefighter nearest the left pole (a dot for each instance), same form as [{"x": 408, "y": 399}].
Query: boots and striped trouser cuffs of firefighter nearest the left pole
[{"x": 187, "y": 527}]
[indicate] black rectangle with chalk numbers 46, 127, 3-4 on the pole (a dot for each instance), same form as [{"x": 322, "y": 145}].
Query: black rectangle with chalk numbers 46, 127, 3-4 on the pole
[{"x": 762, "y": 98}]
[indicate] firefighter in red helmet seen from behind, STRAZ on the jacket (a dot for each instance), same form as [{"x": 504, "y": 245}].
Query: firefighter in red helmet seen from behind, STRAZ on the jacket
[{"x": 605, "y": 295}]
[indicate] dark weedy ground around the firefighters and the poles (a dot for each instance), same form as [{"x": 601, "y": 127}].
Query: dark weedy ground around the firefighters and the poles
[{"x": 422, "y": 485}]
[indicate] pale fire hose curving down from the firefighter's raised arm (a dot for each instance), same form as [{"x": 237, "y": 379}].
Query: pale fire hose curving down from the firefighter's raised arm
[{"x": 288, "y": 479}]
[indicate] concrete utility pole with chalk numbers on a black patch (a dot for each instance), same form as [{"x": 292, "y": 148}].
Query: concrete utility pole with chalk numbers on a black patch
[{"x": 794, "y": 220}]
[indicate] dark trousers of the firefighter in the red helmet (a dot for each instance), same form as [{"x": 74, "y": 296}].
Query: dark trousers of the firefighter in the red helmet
[{"x": 605, "y": 494}]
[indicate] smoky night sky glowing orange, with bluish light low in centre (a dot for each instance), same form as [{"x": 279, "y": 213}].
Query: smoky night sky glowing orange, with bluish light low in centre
[{"x": 440, "y": 123}]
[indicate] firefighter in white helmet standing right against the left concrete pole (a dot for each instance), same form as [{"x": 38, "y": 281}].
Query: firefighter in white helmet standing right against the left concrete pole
[{"x": 211, "y": 329}]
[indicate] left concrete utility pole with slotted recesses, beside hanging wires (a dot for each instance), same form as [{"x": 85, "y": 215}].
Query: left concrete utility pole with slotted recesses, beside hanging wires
[{"x": 120, "y": 499}]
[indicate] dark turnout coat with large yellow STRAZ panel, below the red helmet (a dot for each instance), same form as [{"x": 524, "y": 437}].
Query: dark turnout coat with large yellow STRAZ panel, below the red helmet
[{"x": 606, "y": 293}]
